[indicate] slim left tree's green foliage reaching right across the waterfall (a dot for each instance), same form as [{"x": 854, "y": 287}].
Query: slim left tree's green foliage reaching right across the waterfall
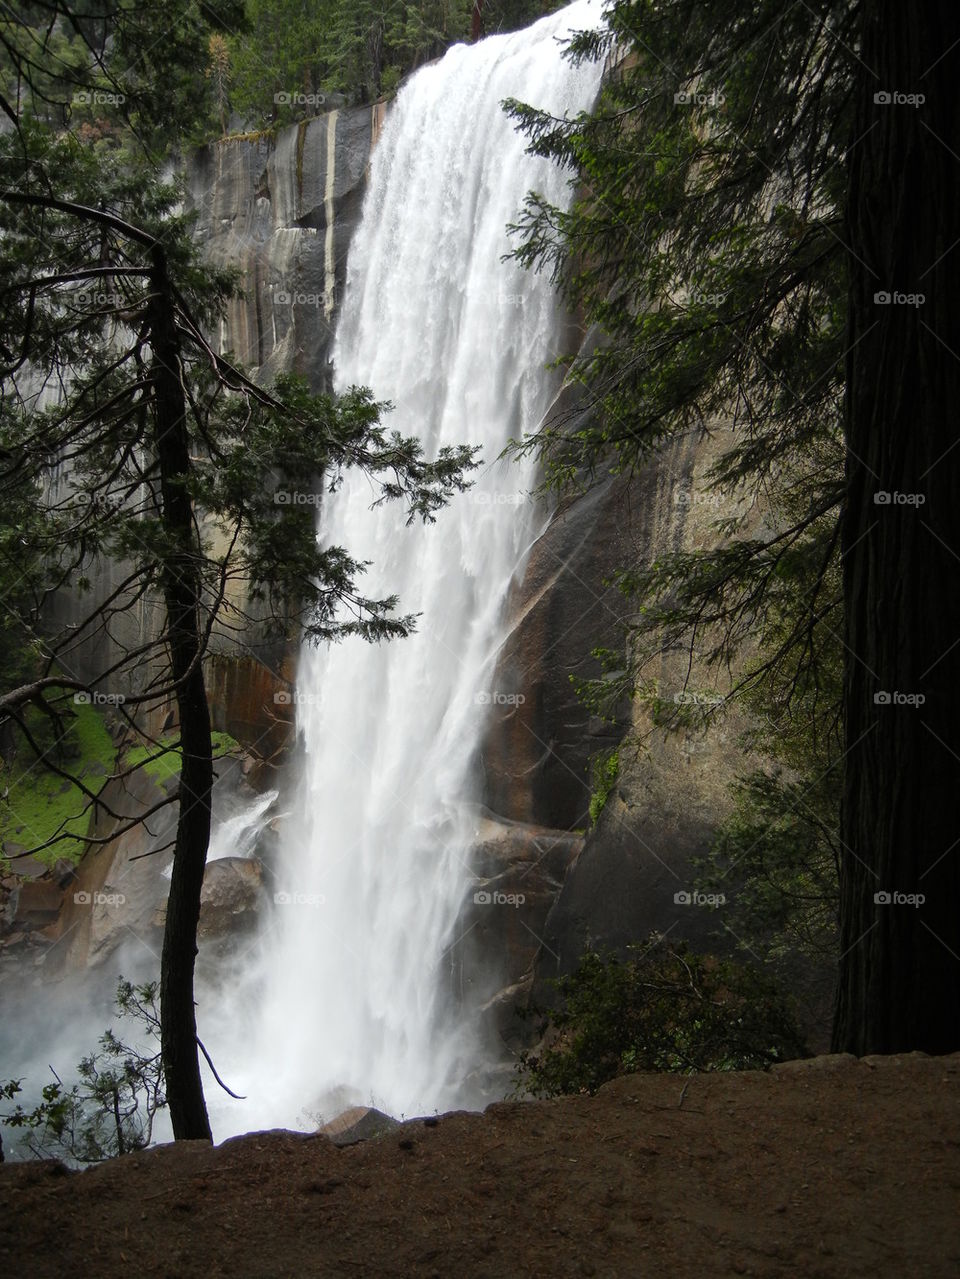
[{"x": 305, "y": 443}]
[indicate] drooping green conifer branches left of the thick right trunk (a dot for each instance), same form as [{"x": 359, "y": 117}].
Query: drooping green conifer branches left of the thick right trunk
[{"x": 706, "y": 246}]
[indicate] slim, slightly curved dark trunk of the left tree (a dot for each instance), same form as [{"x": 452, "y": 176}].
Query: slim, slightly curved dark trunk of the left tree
[{"x": 182, "y": 592}]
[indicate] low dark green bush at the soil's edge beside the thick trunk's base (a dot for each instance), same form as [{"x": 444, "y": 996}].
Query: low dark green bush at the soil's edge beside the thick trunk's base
[{"x": 660, "y": 1008}]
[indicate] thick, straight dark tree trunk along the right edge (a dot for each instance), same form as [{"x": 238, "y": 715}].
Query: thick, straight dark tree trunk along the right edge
[{"x": 901, "y": 961}]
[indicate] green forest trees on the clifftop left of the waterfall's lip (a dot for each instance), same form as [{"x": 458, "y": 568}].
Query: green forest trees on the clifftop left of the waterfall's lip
[{"x": 172, "y": 72}]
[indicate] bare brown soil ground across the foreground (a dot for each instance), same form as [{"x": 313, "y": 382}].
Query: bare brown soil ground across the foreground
[{"x": 833, "y": 1167}]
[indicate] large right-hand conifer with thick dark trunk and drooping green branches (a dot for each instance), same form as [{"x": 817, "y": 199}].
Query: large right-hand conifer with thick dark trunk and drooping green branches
[{"x": 754, "y": 186}]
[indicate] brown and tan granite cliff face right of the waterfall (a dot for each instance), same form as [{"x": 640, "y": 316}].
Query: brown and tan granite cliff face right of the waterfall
[{"x": 612, "y": 883}]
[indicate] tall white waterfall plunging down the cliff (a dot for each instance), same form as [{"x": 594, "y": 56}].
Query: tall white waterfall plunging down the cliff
[{"x": 356, "y": 1006}]
